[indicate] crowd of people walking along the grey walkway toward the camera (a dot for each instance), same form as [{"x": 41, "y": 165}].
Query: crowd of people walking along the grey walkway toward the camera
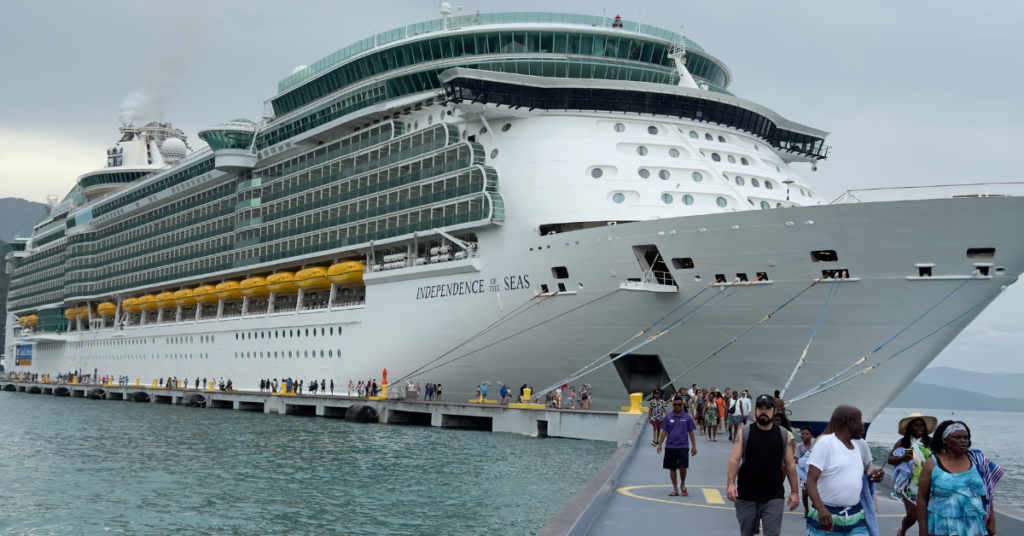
[{"x": 947, "y": 487}]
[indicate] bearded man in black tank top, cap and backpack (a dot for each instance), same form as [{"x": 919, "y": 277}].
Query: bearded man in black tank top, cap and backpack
[{"x": 761, "y": 449}]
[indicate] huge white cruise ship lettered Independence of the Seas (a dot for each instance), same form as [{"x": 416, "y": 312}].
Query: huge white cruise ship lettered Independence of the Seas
[{"x": 507, "y": 198}]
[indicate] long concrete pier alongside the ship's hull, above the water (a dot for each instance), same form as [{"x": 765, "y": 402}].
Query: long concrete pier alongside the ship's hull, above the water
[{"x": 579, "y": 425}]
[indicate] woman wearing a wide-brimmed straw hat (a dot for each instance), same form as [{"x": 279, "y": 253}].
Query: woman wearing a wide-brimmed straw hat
[{"x": 908, "y": 459}]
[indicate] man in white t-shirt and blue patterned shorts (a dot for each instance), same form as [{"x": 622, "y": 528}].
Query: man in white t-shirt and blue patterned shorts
[{"x": 835, "y": 470}]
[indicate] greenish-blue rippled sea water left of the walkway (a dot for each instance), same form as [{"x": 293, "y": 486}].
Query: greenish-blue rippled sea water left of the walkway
[{"x": 93, "y": 467}]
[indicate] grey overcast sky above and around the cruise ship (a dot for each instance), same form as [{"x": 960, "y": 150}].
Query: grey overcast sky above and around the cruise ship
[{"x": 913, "y": 93}]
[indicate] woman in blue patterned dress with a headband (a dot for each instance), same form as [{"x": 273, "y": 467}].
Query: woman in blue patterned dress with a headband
[{"x": 957, "y": 486}]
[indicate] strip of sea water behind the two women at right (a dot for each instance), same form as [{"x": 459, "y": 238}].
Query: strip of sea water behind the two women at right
[{"x": 996, "y": 434}]
